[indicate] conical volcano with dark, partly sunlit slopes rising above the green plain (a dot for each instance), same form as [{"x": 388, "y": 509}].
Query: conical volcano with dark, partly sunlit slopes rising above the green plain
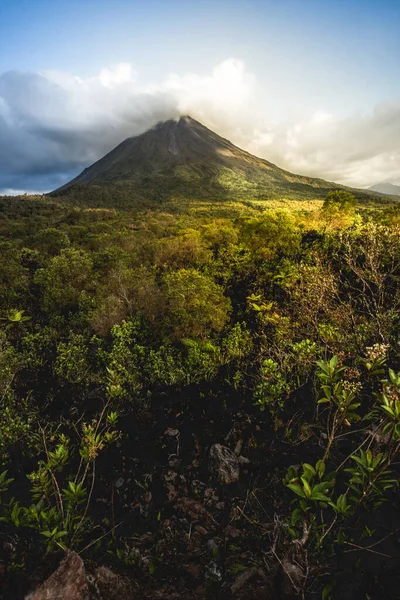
[{"x": 185, "y": 159}]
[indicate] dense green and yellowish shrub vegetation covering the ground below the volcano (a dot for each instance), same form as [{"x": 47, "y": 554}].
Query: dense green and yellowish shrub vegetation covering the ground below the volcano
[{"x": 134, "y": 340}]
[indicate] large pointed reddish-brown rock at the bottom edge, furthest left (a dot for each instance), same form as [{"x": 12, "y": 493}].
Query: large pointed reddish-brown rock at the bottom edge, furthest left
[{"x": 67, "y": 582}]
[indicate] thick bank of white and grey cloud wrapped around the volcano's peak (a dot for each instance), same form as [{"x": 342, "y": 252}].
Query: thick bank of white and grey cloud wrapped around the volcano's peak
[{"x": 52, "y": 125}]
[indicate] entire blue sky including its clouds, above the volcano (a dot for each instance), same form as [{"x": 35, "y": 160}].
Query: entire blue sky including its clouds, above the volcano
[{"x": 311, "y": 85}]
